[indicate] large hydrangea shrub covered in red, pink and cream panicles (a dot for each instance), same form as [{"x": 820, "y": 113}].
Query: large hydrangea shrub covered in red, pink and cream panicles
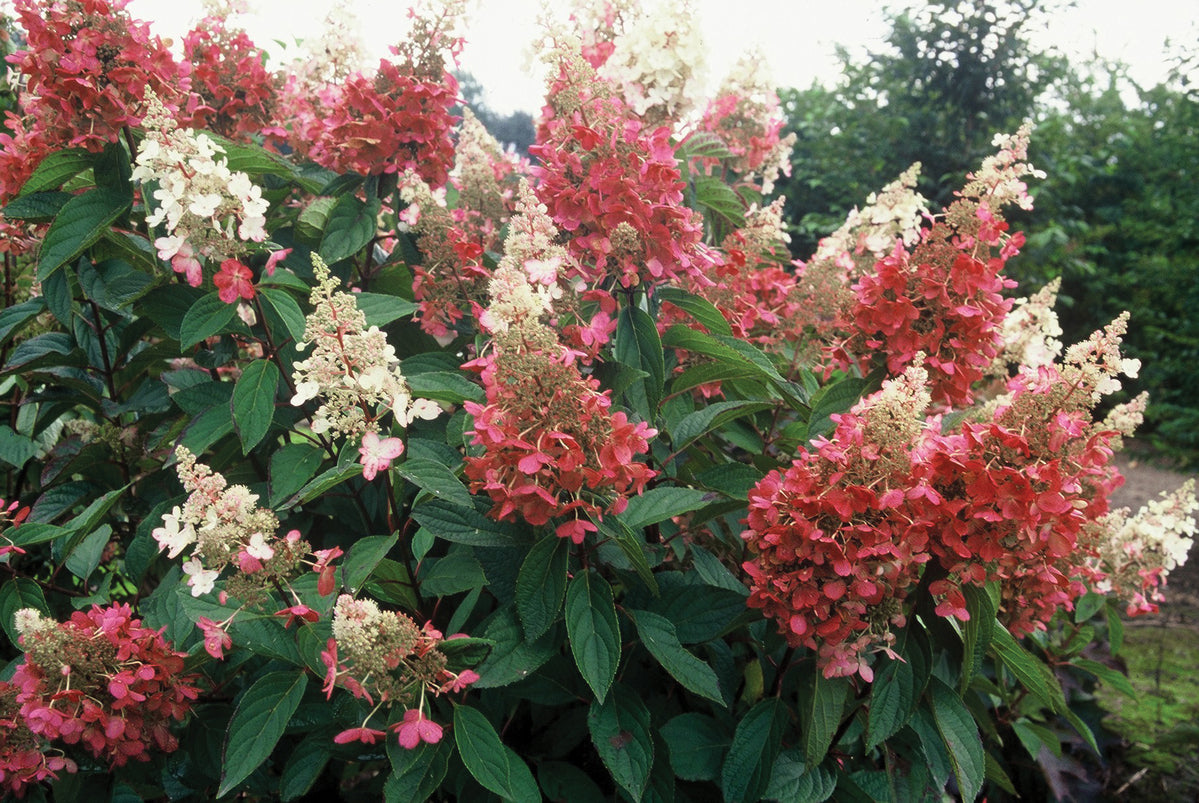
[{"x": 352, "y": 456}]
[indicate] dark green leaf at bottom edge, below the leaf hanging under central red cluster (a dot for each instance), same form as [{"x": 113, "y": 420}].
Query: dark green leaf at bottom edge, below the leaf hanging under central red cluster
[{"x": 620, "y": 732}]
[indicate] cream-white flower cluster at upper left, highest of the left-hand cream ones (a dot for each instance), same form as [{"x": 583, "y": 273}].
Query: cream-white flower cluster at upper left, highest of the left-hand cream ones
[{"x": 207, "y": 208}]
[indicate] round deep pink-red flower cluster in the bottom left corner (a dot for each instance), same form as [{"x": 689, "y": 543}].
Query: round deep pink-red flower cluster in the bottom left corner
[{"x": 104, "y": 681}]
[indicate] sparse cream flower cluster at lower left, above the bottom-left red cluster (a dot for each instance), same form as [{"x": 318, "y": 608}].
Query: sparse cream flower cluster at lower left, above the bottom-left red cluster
[{"x": 216, "y": 526}]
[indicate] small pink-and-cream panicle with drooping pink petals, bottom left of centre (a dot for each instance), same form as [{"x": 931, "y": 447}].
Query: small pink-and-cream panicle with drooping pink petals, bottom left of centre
[{"x": 387, "y": 660}]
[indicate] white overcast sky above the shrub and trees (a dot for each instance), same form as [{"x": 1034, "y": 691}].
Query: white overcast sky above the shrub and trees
[{"x": 798, "y": 37}]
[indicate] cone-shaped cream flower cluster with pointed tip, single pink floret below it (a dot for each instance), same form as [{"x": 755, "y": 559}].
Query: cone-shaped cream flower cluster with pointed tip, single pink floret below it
[{"x": 352, "y": 367}]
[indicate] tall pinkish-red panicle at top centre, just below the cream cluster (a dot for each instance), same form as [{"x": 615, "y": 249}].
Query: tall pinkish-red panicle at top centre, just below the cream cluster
[{"x": 614, "y": 186}]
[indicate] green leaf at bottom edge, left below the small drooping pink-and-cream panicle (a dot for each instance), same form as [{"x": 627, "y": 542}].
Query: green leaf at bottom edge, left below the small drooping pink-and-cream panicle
[{"x": 257, "y": 724}]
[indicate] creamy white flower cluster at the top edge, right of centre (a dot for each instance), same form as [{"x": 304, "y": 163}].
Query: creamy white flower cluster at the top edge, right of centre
[{"x": 659, "y": 62}]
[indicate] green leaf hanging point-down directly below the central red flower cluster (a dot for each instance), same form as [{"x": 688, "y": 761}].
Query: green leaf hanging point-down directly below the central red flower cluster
[{"x": 594, "y": 631}]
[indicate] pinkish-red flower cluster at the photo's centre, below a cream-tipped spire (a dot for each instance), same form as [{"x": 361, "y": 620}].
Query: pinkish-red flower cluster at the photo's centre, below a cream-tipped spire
[{"x": 552, "y": 446}]
